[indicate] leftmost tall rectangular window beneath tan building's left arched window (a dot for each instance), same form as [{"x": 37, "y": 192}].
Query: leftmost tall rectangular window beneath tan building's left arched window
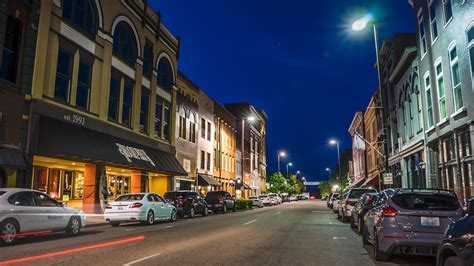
[{"x": 62, "y": 89}]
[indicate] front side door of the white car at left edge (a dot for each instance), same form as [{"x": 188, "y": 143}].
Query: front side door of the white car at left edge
[{"x": 54, "y": 215}]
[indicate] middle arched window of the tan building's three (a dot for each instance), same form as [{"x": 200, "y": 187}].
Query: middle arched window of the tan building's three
[{"x": 124, "y": 43}]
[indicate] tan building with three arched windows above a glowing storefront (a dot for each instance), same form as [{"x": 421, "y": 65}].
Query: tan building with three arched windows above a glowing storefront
[{"x": 101, "y": 121}]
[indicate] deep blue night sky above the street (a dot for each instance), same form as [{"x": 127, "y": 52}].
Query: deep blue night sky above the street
[{"x": 296, "y": 59}]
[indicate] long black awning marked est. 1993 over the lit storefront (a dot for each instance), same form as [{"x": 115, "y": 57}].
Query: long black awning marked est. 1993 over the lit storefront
[{"x": 64, "y": 140}]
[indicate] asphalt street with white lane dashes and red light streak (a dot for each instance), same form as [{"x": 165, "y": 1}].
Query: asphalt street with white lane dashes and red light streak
[{"x": 297, "y": 233}]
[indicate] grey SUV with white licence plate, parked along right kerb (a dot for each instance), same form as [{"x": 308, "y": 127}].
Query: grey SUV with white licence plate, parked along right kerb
[{"x": 409, "y": 221}]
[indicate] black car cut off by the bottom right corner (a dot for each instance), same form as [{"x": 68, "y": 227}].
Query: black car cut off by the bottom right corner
[{"x": 457, "y": 248}]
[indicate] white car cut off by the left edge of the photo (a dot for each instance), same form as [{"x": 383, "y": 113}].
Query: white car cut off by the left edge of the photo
[{"x": 25, "y": 211}]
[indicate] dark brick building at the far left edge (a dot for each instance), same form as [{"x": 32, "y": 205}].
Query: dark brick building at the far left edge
[{"x": 17, "y": 53}]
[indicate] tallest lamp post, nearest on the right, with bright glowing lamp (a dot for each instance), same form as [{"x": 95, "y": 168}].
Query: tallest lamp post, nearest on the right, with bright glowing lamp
[{"x": 360, "y": 25}]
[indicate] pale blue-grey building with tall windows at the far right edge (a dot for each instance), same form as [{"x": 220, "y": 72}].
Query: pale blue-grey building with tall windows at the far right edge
[{"x": 445, "y": 41}]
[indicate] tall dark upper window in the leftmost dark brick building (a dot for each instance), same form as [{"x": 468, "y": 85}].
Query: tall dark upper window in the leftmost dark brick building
[{"x": 11, "y": 50}]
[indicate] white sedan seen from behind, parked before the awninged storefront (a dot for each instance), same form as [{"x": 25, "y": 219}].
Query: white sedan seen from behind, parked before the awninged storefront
[{"x": 146, "y": 208}]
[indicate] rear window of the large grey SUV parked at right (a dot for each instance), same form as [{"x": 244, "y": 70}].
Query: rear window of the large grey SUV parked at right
[{"x": 431, "y": 202}]
